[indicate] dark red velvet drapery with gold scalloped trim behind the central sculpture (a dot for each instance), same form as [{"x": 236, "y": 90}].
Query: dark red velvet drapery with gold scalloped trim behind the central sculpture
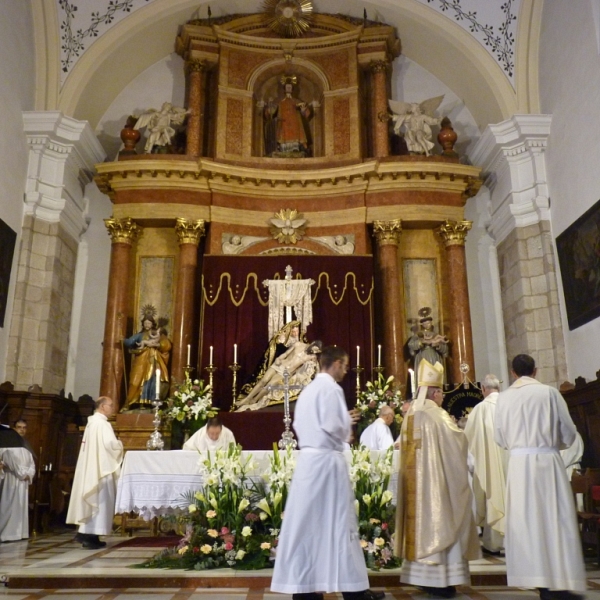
[{"x": 234, "y": 307}]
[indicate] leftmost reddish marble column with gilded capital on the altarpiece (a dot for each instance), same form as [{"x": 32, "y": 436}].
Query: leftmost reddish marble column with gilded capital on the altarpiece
[{"x": 123, "y": 232}]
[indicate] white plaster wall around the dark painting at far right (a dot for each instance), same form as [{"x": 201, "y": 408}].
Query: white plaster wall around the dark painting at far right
[{"x": 570, "y": 92}]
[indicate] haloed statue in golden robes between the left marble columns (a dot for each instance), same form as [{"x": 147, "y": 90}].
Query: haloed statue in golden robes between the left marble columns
[{"x": 150, "y": 349}]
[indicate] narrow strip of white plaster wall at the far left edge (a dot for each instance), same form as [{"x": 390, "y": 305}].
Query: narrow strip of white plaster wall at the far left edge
[{"x": 16, "y": 95}]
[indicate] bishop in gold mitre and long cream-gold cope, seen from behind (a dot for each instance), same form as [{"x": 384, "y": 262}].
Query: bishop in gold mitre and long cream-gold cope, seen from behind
[{"x": 435, "y": 530}]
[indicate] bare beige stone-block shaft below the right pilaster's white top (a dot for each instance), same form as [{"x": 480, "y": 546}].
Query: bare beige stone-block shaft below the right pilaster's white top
[{"x": 532, "y": 322}]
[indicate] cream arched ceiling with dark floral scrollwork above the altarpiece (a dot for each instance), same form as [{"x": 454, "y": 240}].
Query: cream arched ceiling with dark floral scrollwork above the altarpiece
[{"x": 81, "y": 72}]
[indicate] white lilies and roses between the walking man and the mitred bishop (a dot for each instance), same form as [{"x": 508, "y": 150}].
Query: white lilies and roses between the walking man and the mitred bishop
[{"x": 376, "y": 513}]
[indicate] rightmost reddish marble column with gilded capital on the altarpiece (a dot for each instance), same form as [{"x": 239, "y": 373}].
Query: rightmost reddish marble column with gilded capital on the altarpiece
[{"x": 454, "y": 235}]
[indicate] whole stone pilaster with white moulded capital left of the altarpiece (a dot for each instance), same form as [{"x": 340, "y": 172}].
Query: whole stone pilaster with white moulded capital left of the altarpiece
[{"x": 62, "y": 153}]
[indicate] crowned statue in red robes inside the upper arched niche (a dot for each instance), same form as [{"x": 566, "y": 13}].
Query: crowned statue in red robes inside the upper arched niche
[{"x": 286, "y": 124}]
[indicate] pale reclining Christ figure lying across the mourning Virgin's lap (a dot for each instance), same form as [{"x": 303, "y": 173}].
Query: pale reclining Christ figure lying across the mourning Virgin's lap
[{"x": 300, "y": 361}]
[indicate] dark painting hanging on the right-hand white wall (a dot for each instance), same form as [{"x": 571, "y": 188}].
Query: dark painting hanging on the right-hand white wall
[{"x": 578, "y": 249}]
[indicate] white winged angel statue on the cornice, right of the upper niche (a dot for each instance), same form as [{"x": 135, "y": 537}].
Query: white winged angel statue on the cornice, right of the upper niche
[{"x": 417, "y": 119}]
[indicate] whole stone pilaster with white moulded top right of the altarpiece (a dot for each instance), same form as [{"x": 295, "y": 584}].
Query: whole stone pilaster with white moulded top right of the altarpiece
[{"x": 512, "y": 152}]
